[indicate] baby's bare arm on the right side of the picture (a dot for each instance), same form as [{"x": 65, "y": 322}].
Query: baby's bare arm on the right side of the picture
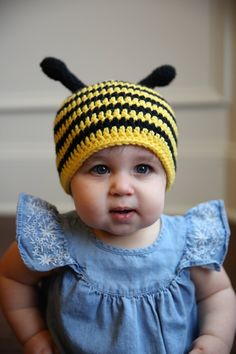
[{"x": 217, "y": 312}]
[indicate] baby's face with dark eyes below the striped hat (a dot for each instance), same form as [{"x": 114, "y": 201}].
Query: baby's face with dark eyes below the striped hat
[{"x": 120, "y": 190}]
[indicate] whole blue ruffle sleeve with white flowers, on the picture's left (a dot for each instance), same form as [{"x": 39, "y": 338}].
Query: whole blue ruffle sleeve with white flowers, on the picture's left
[{"x": 40, "y": 235}]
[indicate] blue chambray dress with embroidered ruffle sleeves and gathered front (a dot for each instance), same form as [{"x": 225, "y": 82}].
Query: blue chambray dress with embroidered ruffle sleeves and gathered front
[{"x": 108, "y": 300}]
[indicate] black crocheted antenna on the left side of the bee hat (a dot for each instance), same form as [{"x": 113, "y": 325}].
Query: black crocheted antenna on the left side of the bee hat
[{"x": 57, "y": 70}]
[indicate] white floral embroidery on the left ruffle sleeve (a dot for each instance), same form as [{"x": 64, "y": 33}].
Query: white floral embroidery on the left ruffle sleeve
[{"x": 41, "y": 228}]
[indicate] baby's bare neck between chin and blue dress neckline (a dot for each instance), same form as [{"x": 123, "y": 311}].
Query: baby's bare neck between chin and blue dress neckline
[{"x": 140, "y": 239}]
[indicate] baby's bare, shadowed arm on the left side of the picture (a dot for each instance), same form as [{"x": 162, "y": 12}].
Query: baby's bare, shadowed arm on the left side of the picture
[{"x": 19, "y": 301}]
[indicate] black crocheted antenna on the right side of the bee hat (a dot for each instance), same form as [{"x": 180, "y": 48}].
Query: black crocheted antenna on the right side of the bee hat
[{"x": 161, "y": 76}]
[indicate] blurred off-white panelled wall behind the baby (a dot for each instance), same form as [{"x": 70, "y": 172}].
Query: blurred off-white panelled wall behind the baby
[{"x": 104, "y": 39}]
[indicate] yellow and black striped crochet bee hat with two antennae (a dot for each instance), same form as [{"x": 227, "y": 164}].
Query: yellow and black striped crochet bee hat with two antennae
[{"x": 112, "y": 113}]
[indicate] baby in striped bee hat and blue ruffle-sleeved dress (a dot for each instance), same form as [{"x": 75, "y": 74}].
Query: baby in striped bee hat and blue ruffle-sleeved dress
[{"x": 119, "y": 276}]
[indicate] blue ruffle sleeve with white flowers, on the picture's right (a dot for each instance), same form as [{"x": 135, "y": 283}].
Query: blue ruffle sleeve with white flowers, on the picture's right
[{"x": 207, "y": 236}]
